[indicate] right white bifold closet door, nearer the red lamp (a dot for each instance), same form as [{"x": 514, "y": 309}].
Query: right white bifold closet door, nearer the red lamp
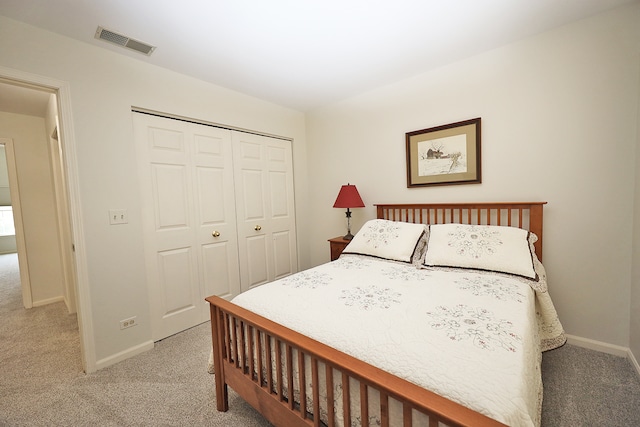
[{"x": 265, "y": 208}]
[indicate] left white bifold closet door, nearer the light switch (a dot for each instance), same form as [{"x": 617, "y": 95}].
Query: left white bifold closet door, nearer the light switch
[{"x": 188, "y": 212}]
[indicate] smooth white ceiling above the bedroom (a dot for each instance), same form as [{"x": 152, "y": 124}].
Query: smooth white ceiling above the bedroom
[{"x": 302, "y": 53}]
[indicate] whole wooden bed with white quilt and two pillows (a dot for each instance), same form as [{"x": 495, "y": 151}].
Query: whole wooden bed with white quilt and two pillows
[{"x": 412, "y": 325}]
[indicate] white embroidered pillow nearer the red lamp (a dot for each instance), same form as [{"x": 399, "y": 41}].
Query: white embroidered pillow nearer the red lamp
[{"x": 397, "y": 241}]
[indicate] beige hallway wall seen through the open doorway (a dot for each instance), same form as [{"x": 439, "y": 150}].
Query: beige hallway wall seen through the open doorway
[{"x": 36, "y": 197}]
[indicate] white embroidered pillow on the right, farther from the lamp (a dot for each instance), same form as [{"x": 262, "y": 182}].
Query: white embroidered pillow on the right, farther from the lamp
[{"x": 483, "y": 247}]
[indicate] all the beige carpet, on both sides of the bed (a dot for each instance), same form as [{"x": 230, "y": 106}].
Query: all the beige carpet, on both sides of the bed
[{"x": 41, "y": 383}]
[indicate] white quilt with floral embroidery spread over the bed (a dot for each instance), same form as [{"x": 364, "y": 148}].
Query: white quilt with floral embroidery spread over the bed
[{"x": 473, "y": 337}]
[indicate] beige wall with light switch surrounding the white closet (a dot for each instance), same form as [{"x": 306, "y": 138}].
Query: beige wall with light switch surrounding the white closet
[{"x": 103, "y": 87}]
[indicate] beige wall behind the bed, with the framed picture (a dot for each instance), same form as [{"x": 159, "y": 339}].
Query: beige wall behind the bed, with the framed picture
[{"x": 559, "y": 120}]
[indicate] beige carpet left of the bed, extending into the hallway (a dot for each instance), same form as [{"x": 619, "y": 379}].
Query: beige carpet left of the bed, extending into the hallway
[{"x": 42, "y": 384}]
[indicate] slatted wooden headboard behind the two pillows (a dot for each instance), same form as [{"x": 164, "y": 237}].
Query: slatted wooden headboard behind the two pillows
[{"x": 526, "y": 215}]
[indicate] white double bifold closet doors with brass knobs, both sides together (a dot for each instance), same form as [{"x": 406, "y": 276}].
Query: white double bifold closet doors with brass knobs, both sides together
[{"x": 217, "y": 215}]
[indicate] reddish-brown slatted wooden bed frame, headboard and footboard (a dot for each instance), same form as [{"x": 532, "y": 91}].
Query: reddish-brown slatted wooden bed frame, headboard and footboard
[{"x": 239, "y": 331}]
